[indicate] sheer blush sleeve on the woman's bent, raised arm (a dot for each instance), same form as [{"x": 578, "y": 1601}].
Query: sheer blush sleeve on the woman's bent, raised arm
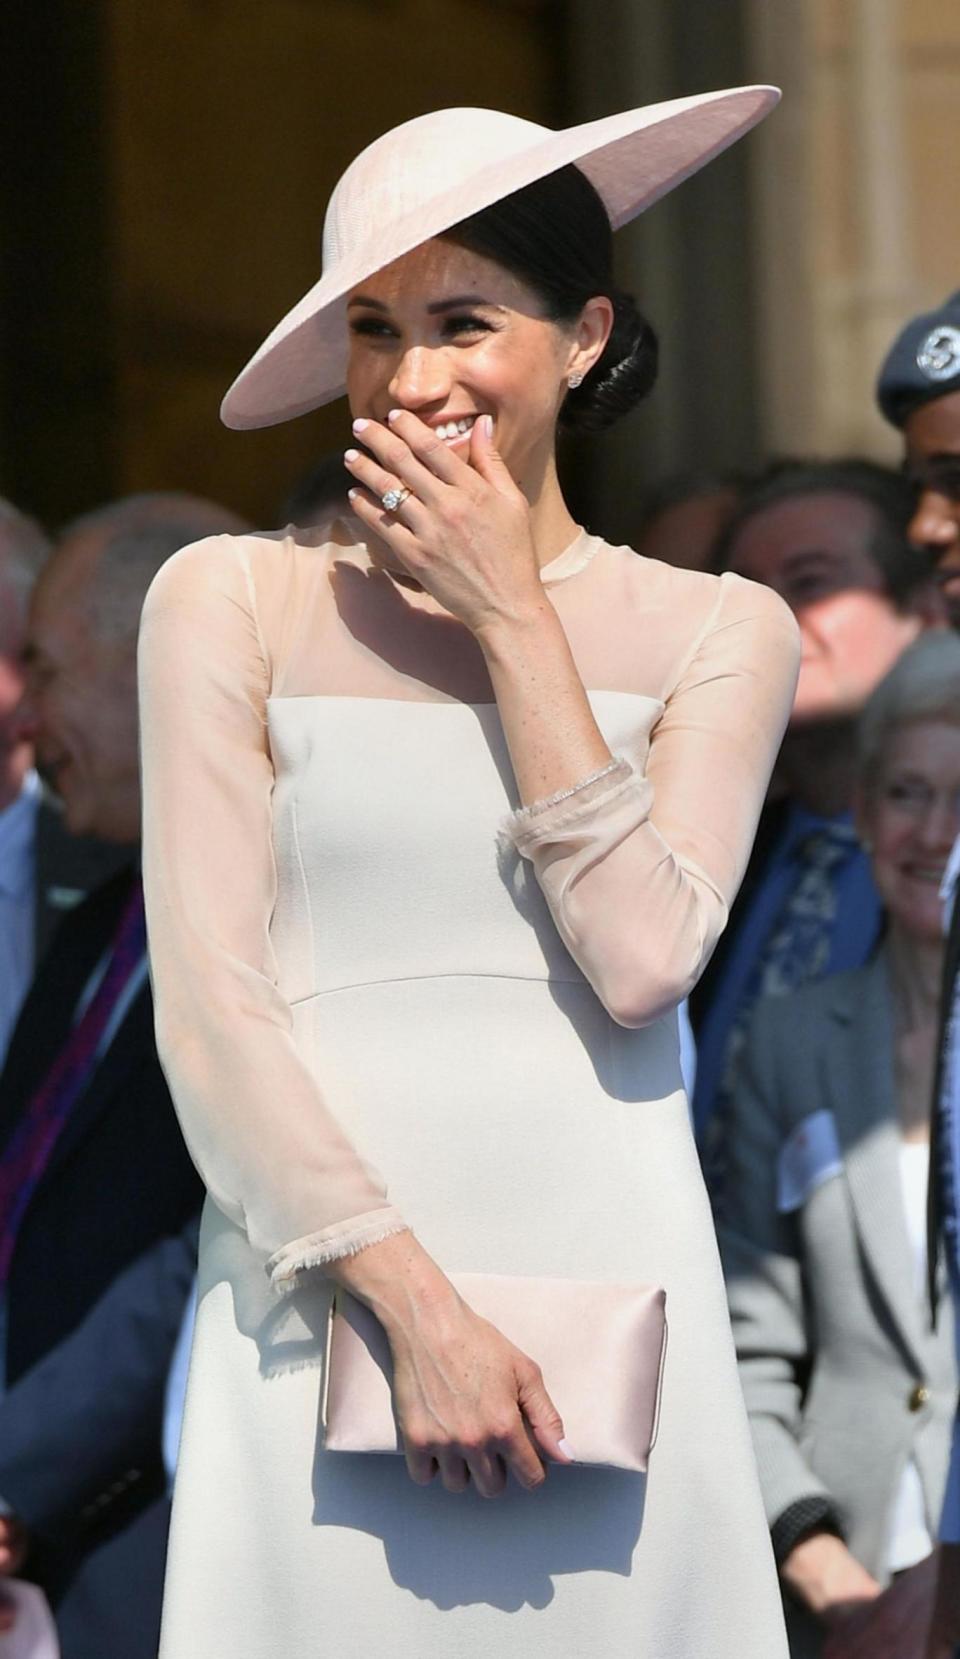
[{"x": 641, "y": 868}]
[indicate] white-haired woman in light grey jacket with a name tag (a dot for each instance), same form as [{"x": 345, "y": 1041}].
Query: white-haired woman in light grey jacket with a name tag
[{"x": 823, "y": 1224}]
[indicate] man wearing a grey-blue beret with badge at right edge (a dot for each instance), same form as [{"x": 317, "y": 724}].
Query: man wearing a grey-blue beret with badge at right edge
[{"x": 919, "y": 392}]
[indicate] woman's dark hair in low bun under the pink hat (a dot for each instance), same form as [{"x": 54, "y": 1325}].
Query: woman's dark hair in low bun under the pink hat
[{"x": 556, "y": 236}]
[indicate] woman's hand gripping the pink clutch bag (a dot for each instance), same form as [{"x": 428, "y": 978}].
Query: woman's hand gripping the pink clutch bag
[{"x": 463, "y": 1394}]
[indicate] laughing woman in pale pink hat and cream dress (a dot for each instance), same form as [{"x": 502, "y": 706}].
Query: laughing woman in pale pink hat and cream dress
[{"x": 447, "y": 802}]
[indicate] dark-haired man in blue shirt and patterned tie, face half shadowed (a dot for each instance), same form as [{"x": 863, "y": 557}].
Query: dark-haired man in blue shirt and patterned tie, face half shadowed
[{"x": 832, "y": 538}]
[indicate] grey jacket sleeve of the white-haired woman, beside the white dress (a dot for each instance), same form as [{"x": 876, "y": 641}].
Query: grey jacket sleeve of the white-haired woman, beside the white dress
[{"x": 765, "y": 1285}]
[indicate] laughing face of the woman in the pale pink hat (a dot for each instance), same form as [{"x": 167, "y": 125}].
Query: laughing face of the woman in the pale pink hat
[{"x": 452, "y": 336}]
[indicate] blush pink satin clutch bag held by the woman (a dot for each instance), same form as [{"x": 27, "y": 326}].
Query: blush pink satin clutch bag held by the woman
[{"x": 599, "y": 1346}]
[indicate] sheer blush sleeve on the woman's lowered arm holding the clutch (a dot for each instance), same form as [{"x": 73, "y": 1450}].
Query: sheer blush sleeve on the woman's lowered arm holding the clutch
[{"x": 256, "y": 1122}]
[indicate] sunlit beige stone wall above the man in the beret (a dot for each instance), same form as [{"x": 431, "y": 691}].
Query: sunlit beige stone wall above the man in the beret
[{"x": 858, "y": 195}]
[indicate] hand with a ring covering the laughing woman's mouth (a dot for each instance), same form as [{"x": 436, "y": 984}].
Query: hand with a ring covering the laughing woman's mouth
[{"x": 465, "y": 528}]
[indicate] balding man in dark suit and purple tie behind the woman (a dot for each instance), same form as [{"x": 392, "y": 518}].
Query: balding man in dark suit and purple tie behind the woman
[{"x": 94, "y": 1172}]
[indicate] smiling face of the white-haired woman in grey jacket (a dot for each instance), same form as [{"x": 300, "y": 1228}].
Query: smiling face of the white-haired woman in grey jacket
[{"x": 911, "y": 820}]
